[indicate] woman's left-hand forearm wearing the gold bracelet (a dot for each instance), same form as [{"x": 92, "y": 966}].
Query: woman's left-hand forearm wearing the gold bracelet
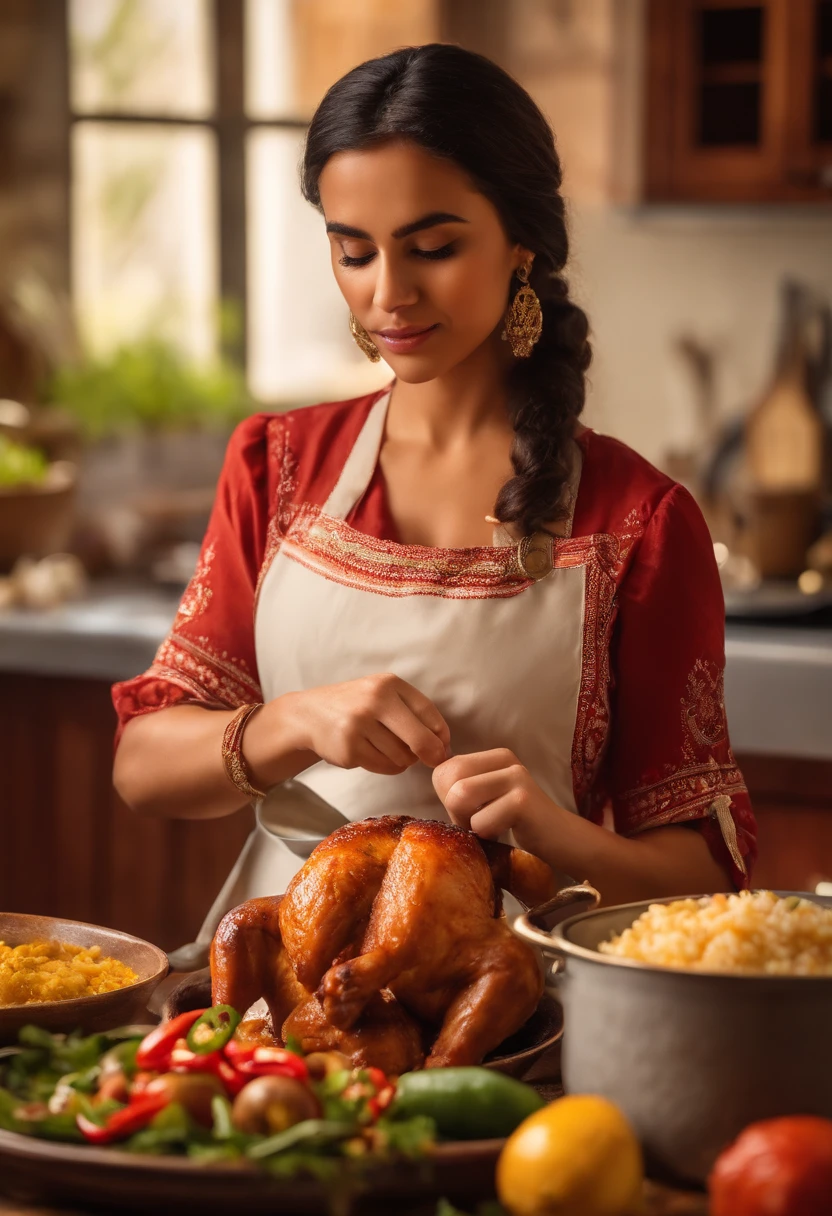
[{"x": 170, "y": 763}]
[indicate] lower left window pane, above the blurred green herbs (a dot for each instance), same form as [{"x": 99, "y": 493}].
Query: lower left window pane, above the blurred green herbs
[{"x": 145, "y": 235}]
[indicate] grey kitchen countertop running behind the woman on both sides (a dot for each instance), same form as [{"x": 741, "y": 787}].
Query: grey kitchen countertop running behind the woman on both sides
[{"x": 778, "y": 680}]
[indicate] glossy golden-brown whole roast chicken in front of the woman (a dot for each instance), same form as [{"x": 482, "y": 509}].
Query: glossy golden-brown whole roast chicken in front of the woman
[{"x": 390, "y": 945}]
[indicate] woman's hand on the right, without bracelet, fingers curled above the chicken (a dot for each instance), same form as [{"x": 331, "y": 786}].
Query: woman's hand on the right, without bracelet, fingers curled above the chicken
[{"x": 493, "y": 793}]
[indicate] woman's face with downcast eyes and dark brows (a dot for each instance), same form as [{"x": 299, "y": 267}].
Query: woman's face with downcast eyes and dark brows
[{"x": 420, "y": 256}]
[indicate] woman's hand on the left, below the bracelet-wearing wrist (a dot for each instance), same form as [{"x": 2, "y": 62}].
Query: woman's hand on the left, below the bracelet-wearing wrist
[{"x": 378, "y": 723}]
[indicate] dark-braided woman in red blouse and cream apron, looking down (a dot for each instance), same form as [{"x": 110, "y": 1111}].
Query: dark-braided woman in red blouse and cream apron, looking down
[{"x": 449, "y": 599}]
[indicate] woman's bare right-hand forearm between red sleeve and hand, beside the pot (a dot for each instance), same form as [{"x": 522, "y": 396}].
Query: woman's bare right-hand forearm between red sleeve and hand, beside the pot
[{"x": 659, "y": 863}]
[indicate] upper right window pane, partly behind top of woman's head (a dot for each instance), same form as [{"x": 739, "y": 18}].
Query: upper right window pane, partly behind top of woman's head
[{"x": 296, "y": 49}]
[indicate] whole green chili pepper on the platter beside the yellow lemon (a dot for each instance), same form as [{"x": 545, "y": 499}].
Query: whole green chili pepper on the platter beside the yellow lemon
[{"x": 465, "y": 1104}]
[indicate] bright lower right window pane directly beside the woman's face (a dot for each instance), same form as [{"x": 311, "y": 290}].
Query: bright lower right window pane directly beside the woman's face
[{"x": 299, "y": 340}]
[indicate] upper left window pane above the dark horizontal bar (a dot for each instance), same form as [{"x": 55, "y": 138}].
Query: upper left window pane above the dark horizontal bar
[{"x": 142, "y": 57}]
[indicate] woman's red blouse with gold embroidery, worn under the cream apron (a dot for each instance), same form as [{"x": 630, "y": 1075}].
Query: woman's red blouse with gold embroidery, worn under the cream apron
[{"x": 651, "y": 738}]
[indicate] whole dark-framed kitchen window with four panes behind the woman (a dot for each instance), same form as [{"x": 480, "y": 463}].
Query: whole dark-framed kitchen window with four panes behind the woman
[{"x": 188, "y": 125}]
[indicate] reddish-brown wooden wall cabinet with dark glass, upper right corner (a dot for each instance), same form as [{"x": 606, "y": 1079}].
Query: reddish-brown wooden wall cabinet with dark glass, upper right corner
[{"x": 739, "y": 102}]
